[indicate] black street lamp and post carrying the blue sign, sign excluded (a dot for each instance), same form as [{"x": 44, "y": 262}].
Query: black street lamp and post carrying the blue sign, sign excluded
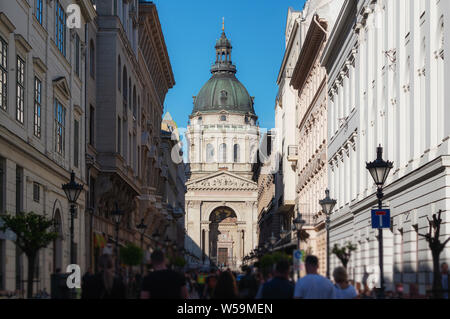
[{"x": 379, "y": 169}]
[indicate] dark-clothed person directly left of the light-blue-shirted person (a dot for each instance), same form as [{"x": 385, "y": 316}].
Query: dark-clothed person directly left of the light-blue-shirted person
[{"x": 280, "y": 287}]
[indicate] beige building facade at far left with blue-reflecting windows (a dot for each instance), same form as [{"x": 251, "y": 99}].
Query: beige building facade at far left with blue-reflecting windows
[{"x": 42, "y": 119}]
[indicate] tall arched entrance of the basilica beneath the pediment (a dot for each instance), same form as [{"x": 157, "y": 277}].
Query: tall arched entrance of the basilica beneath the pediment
[{"x": 223, "y": 237}]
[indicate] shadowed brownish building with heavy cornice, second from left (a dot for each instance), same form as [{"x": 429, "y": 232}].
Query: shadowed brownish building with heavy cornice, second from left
[{"x": 132, "y": 77}]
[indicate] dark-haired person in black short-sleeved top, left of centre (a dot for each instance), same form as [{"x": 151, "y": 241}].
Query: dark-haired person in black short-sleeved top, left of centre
[{"x": 163, "y": 283}]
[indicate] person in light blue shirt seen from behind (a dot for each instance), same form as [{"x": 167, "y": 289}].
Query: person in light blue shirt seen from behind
[{"x": 313, "y": 285}]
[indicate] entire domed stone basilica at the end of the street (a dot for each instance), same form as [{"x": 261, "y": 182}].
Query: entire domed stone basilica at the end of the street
[{"x": 223, "y": 138}]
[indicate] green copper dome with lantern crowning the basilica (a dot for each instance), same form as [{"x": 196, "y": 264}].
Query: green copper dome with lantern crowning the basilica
[{"x": 223, "y": 91}]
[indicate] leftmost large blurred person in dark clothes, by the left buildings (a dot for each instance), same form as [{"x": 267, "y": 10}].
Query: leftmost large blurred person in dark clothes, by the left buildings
[{"x": 105, "y": 284}]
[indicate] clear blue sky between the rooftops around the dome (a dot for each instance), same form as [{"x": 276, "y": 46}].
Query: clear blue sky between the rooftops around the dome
[{"x": 256, "y": 31}]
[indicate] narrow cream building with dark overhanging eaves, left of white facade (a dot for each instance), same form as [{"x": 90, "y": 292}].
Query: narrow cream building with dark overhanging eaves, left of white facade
[{"x": 309, "y": 79}]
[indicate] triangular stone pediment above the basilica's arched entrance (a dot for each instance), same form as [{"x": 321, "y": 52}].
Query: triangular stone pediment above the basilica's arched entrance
[{"x": 222, "y": 181}]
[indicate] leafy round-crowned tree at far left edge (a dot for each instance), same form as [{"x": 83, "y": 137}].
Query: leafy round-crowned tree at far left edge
[{"x": 33, "y": 232}]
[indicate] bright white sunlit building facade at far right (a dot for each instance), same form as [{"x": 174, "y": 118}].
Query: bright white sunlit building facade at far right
[{"x": 387, "y": 83}]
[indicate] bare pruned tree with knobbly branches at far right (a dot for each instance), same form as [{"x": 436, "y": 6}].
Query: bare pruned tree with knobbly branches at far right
[{"x": 436, "y": 247}]
